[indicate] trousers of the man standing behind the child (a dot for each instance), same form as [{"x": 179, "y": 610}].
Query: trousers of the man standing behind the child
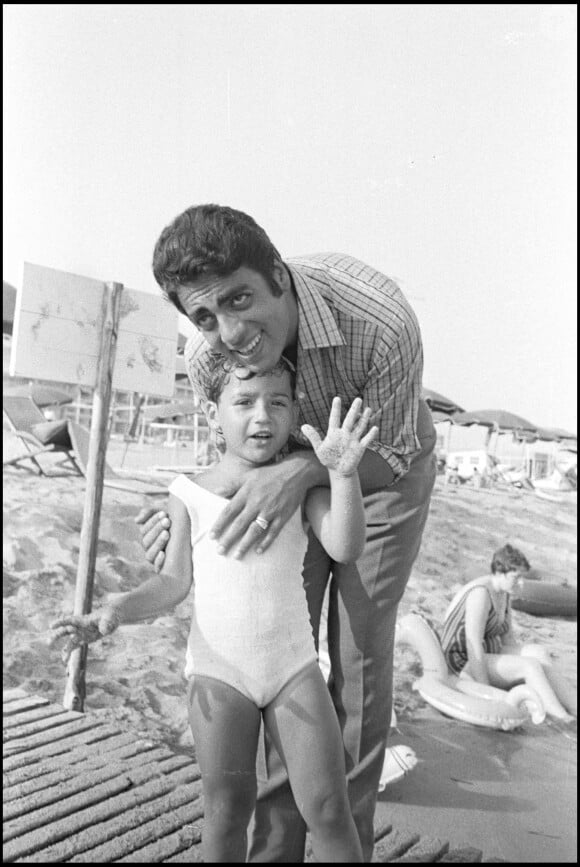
[{"x": 362, "y": 612}]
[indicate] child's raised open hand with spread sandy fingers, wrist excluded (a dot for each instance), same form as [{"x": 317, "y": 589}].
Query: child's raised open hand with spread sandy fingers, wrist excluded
[{"x": 344, "y": 445}]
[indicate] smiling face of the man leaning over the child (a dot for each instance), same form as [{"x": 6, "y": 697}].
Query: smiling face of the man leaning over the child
[{"x": 241, "y": 318}]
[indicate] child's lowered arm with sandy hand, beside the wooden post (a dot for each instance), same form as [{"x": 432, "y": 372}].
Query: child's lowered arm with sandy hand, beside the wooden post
[{"x": 158, "y": 594}]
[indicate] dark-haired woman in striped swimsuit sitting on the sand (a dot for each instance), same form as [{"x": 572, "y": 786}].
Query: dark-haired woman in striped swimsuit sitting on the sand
[{"x": 478, "y": 641}]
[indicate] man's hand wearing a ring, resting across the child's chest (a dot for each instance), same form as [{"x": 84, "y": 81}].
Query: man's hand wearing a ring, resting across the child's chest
[{"x": 272, "y": 493}]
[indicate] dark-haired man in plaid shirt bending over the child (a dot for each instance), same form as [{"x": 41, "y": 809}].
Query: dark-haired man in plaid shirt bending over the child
[{"x": 348, "y": 331}]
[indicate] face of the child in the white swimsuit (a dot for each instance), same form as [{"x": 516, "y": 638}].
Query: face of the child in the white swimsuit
[{"x": 256, "y": 415}]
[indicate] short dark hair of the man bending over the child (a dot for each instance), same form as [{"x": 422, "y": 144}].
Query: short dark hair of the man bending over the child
[{"x": 211, "y": 239}]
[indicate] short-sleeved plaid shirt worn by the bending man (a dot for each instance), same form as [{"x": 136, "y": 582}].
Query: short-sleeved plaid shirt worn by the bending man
[{"x": 357, "y": 337}]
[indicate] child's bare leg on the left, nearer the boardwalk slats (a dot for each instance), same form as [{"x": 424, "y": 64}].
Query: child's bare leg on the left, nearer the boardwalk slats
[{"x": 225, "y": 726}]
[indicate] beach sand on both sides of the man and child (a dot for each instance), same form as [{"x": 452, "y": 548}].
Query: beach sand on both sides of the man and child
[{"x": 512, "y": 795}]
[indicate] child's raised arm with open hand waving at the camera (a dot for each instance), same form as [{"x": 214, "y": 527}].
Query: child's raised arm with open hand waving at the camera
[{"x": 337, "y": 515}]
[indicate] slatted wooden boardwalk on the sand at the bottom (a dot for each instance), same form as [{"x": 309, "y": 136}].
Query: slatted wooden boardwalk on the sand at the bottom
[{"x": 79, "y": 789}]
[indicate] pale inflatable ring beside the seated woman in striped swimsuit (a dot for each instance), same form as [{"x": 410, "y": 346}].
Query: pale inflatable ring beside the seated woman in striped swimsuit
[{"x": 458, "y": 697}]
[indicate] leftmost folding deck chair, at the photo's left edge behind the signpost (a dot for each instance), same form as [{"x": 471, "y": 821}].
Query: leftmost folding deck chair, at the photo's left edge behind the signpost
[{"x": 37, "y": 435}]
